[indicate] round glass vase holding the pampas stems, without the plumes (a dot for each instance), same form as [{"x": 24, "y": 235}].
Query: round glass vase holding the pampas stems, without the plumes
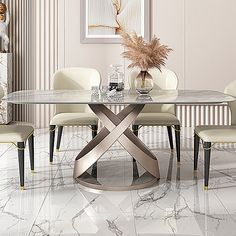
[{"x": 144, "y": 82}]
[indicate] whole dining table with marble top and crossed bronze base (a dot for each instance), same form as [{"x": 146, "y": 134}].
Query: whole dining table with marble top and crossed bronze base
[{"x": 116, "y": 127}]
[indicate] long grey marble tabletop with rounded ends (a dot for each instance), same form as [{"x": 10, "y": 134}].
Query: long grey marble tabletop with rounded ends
[{"x": 124, "y": 97}]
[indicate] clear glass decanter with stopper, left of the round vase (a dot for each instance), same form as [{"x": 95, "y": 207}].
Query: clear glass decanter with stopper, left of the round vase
[{"x": 116, "y": 78}]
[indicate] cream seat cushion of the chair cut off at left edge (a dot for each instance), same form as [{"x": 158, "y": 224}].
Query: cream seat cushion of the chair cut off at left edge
[{"x": 15, "y": 133}]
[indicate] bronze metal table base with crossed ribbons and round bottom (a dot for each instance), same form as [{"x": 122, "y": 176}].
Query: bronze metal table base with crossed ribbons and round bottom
[{"x": 116, "y": 128}]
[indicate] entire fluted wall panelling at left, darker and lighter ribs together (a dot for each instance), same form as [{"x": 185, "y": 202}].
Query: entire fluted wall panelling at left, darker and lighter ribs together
[{"x": 33, "y": 32}]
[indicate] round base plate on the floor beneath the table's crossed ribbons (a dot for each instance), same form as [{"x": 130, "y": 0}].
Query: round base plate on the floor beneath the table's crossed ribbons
[{"x": 122, "y": 175}]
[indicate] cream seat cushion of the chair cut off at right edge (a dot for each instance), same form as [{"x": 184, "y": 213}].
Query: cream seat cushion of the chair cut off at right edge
[{"x": 217, "y": 134}]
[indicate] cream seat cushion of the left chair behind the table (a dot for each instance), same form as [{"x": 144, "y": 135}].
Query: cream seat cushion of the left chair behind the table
[{"x": 73, "y": 119}]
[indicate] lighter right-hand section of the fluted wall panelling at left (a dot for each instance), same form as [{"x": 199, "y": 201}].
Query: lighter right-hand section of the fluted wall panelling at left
[{"x": 46, "y": 55}]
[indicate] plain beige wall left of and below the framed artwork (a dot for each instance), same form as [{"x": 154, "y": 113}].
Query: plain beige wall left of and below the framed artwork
[{"x": 99, "y": 56}]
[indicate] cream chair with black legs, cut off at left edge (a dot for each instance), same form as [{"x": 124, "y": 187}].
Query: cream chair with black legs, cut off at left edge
[{"x": 18, "y": 135}]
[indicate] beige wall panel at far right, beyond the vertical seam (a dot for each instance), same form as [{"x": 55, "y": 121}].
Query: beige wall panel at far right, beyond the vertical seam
[{"x": 210, "y": 48}]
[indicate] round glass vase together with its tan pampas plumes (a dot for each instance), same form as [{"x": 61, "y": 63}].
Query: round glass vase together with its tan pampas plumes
[{"x": 144, "y": 55}]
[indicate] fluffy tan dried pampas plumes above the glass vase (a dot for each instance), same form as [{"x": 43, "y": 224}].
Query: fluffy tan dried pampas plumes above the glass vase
[{"x": 142, "y": 54}]
